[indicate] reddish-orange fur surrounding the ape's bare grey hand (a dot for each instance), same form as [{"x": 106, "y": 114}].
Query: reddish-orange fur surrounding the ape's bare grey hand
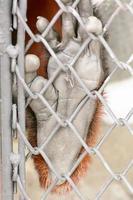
[{"x": 47, "y": 9}]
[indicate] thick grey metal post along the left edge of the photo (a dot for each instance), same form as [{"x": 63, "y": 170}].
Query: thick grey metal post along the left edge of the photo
[{"x": 6, "y": 97}]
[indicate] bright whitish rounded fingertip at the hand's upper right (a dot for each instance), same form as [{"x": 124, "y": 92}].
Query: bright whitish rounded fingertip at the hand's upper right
[{"x": 94, "y": 25}]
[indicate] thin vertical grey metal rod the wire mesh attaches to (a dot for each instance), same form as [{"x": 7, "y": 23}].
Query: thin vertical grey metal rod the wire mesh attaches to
[{"x": 21, "y": 92}]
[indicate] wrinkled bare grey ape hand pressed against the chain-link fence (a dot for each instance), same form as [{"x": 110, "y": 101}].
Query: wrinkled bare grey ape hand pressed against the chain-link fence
[{"x": 61, "y": 106}]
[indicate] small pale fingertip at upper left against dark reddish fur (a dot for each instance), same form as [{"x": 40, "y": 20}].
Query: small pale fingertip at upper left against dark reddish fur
[{"x": 41, "y": 24}]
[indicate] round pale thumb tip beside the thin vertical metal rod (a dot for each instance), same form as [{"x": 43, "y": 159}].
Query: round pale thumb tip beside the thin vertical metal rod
[{"x": 32, "y": 63}]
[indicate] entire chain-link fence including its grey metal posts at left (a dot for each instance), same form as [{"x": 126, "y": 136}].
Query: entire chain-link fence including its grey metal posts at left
[{"x": 13, "y": 16}]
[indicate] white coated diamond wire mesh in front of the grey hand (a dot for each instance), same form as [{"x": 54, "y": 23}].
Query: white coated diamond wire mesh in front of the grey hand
[{"x": 18, "y": 122}]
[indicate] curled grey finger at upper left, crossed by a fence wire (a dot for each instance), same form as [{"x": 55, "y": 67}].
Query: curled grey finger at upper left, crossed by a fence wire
[{"x": 52, "y": 36}]
